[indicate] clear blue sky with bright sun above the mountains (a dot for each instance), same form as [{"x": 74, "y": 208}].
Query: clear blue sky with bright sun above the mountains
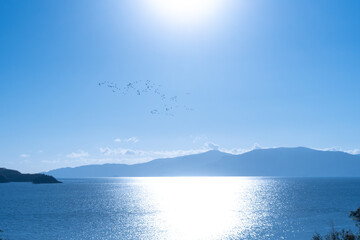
[{"x": 252, "y": 74}]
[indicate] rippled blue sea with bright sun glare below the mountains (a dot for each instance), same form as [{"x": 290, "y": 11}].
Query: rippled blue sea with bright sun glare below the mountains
[{"x": 177, "y": 208}]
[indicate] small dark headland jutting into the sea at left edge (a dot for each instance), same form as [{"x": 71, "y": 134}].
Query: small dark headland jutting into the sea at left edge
[{"x": 8, "y": 175}]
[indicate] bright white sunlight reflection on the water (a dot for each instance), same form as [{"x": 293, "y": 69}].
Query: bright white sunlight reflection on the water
[{"x": 204, "y": 208}]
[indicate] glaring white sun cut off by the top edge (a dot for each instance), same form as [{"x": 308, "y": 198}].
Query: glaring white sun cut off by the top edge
[{"x": 184, "y": 12}]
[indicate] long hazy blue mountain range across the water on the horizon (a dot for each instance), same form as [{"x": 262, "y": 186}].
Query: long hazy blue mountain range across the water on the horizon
[{"x": 299, "y": 162}]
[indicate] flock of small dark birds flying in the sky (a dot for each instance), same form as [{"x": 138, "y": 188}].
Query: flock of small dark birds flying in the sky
[{"x": 168, "y": 104}]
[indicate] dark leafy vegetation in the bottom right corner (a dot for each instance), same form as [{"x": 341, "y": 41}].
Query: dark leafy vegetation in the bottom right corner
[{"x": 343, "y": 234}]
